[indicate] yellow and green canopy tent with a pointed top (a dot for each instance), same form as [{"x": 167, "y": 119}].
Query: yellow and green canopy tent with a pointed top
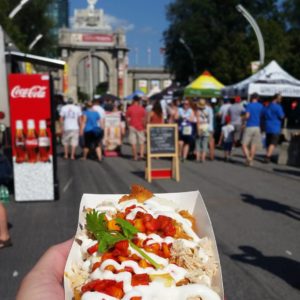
[{"x": 205, "y": 86}]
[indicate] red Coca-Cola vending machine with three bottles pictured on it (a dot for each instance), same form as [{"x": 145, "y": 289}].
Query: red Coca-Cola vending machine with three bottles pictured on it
[{"x": 32, "y": 131}]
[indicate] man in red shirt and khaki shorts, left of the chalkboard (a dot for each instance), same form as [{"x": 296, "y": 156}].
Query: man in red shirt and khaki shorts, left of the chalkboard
[{"x": 136, "y": 119}]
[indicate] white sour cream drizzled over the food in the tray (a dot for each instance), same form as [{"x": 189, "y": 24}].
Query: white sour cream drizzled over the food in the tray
[{"x": 155, "y": 290}]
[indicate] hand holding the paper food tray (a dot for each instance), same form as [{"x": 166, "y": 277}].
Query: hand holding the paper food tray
[{"x": 44, "y": 281}]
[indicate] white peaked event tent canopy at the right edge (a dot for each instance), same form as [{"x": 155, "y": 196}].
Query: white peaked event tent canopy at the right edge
[{"x": 266, "y": 82}]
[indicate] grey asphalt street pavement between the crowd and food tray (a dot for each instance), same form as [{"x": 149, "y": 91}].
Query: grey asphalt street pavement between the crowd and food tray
[{"x": 255, "y": 213}]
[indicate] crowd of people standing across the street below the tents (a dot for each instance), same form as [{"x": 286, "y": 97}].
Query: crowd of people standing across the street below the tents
[{"x": 203, "y": 124}]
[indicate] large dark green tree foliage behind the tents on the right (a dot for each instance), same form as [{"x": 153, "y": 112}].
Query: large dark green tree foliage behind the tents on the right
[{"x": 223, "y": 42}]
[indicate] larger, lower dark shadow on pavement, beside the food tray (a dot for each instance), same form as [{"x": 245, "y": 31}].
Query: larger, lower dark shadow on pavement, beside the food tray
[{"x": 285, "y": 268}]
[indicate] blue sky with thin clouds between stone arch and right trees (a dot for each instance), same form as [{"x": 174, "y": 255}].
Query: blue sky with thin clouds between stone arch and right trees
[{"x": 144, "y": 20}]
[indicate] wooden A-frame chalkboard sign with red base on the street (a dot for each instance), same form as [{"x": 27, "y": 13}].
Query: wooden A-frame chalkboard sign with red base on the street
[{"x": 162, "y": 142}]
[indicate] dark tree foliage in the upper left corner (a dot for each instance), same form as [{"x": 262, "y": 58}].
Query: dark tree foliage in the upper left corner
[{"x": 31, "y": 21}]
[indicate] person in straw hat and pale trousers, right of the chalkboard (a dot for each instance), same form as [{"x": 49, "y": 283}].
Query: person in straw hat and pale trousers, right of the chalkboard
[{"x": 202, "y": 137}]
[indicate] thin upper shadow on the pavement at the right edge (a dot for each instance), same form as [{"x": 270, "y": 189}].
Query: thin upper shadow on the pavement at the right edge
[{"x": 271, "y": 205}]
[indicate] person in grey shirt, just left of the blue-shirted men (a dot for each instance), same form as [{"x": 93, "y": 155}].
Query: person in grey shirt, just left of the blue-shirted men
[{"x": 235, "y": 112}]
